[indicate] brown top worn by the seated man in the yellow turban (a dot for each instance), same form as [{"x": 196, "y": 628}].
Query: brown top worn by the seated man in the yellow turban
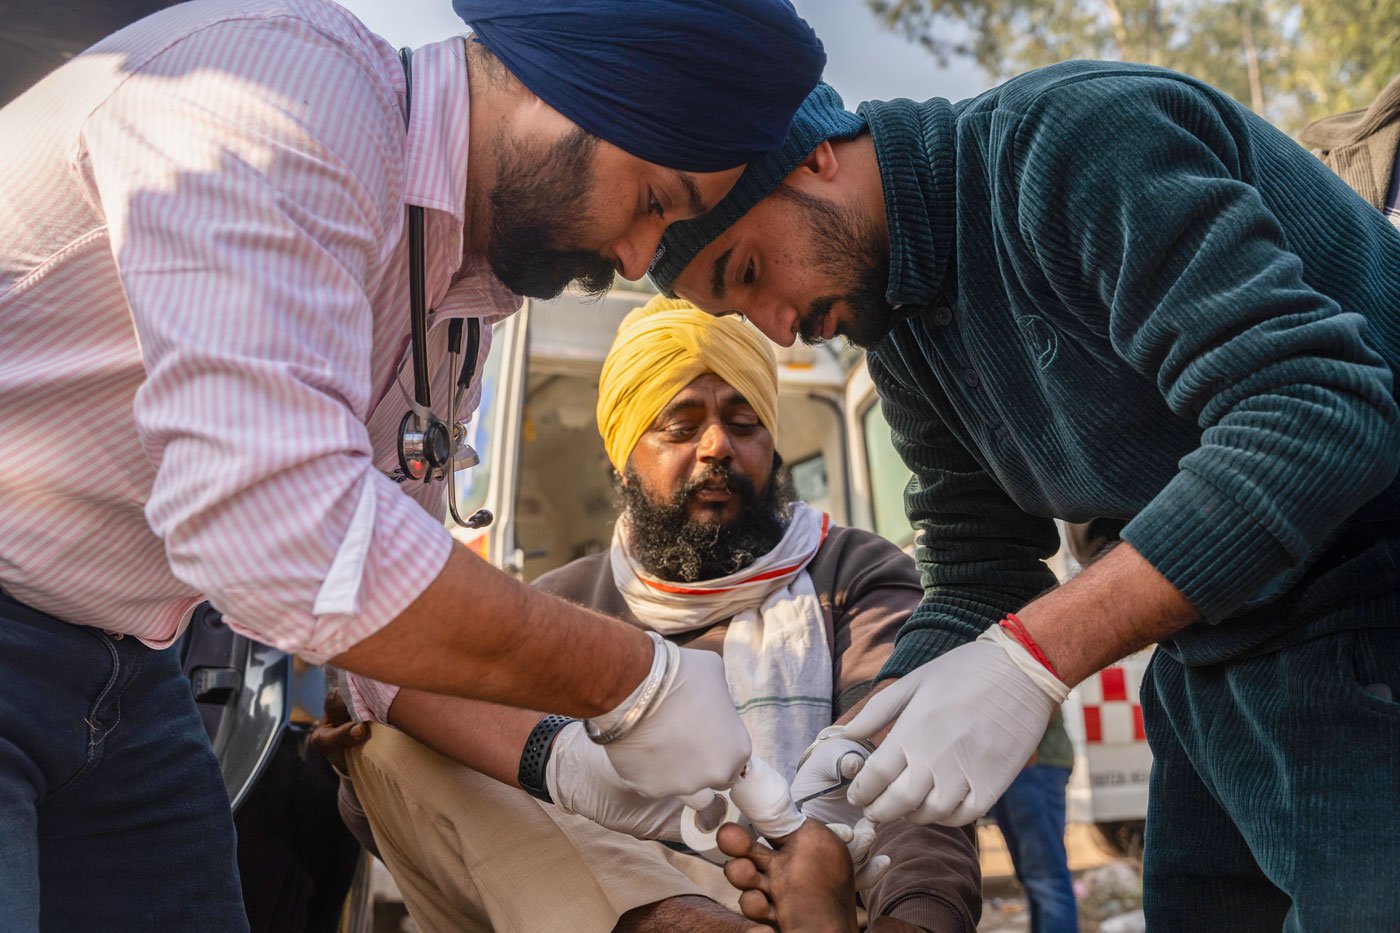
[{"x": 867, "y": 589}]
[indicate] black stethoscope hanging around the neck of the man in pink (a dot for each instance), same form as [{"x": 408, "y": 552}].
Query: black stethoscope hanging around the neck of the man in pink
[{"x": 429, "y": 449}]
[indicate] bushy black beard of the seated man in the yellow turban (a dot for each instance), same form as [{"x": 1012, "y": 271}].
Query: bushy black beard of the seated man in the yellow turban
[{"x": 673, "y": 547}]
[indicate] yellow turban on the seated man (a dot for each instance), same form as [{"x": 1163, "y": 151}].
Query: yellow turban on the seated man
[{"x": 660, "y": 350}]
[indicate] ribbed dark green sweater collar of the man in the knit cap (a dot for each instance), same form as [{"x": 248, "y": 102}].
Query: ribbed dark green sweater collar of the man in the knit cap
[{"x": 915, "y": 151}]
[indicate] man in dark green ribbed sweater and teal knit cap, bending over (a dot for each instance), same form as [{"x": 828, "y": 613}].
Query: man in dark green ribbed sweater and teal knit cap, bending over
[{"x": 1108, "y": 291}]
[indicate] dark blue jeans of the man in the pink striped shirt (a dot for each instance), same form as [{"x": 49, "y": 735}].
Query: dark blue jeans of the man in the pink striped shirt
[{"x": 114, "y": 812}]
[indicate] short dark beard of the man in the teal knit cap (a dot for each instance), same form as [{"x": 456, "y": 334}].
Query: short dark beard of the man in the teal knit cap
[{"x": 853, "y": 256}]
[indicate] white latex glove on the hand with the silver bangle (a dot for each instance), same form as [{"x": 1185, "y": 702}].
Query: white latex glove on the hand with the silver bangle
[{"x": 691, "y": 740}]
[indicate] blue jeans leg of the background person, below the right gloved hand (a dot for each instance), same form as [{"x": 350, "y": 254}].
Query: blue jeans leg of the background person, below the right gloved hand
[{"x": 1031, "y": 816}]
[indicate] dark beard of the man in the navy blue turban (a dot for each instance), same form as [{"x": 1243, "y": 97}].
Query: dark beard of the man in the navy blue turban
[{"x": 538, "y": 202}]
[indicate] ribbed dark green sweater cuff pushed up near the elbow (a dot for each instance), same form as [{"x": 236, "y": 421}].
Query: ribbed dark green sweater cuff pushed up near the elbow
[{"x": 1207, "y": 546}]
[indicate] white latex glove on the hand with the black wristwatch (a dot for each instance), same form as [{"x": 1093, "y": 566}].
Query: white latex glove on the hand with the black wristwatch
[{"x": 583, "y": 781}]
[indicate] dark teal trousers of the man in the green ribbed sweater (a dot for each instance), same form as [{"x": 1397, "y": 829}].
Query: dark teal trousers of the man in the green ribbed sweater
[{"x": 1275, "y": 802}]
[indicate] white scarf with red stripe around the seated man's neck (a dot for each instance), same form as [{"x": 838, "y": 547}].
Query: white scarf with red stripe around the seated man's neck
[{"x": 776, "y": 655}]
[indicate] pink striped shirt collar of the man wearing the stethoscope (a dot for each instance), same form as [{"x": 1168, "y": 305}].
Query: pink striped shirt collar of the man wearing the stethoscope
[{"x": 439, "y": 130}]
